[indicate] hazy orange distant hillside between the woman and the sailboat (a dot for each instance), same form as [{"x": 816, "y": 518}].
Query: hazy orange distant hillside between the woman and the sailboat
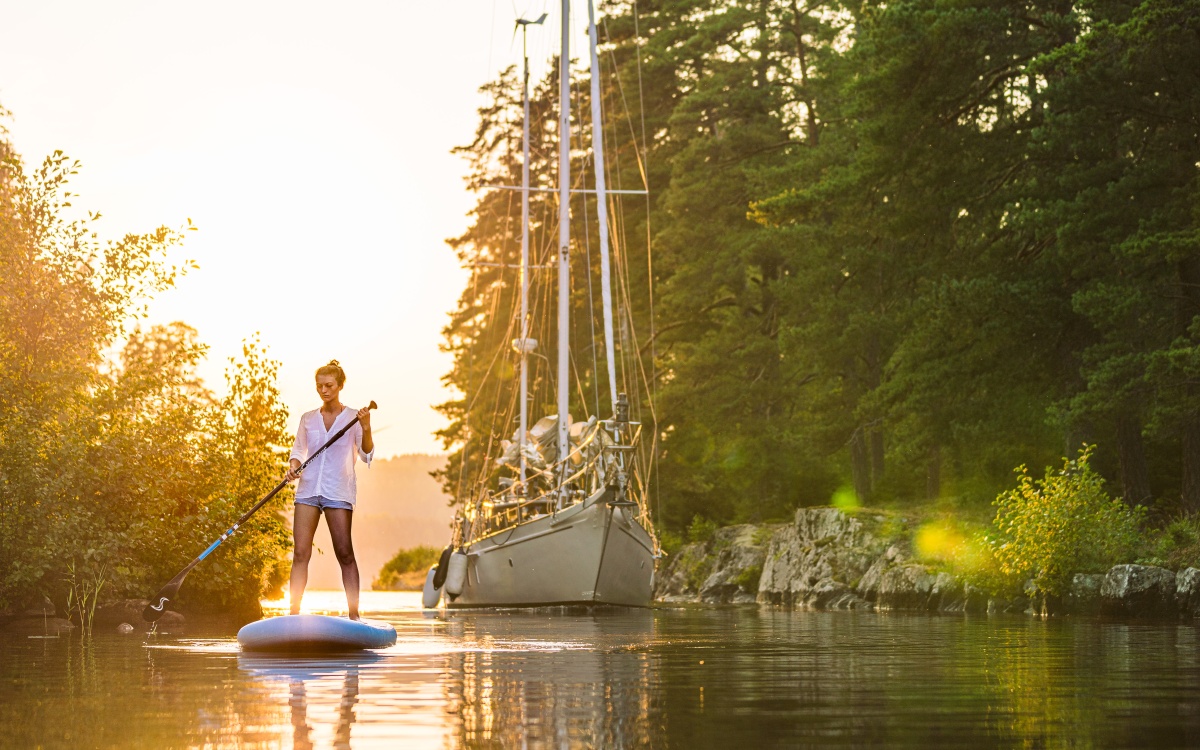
[{"x": 400, "y": 506}]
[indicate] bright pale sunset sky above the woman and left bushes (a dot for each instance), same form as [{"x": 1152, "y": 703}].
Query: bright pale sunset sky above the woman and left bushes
[{"x": 308, "y": 142}]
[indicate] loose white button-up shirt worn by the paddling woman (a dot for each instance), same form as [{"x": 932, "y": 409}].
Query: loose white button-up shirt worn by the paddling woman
[{"x": 332, "y": 475}]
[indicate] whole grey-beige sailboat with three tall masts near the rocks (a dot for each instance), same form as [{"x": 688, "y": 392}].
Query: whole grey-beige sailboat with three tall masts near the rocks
[{"x": 571, "y": 524}]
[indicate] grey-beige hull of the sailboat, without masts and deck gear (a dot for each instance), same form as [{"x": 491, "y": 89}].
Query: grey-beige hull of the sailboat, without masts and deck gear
[{"x": 591, "y": 554}]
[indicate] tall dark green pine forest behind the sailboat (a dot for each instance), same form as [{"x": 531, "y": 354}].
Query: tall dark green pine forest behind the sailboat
[{"x": 897, "y": 247}]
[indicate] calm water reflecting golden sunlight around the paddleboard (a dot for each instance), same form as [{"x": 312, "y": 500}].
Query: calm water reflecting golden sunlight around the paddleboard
[{"x": 665, "y": 679}]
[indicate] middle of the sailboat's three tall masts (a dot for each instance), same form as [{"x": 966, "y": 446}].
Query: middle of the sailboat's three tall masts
[{"x": 565, "y": 239}]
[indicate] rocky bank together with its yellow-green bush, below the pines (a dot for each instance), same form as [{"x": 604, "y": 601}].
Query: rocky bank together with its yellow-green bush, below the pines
[{"x": 1058, "y": 545}]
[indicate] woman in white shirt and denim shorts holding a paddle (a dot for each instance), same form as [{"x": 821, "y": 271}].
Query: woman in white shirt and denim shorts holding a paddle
[{"x": 328, "y": 483}]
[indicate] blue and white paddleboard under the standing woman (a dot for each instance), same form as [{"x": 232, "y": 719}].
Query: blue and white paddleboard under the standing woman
[{"x": 315, "y": 633}]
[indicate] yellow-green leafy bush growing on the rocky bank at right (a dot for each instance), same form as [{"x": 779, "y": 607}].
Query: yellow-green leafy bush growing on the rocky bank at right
[{"x": 1048, "y": 530}]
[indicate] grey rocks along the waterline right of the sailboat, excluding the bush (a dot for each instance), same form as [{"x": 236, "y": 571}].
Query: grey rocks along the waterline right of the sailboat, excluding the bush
[{"x": 830, "y": 560}]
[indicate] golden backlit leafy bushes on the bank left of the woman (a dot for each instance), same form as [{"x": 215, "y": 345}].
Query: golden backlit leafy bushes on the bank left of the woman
[{"x": 116, "y": 470}]
